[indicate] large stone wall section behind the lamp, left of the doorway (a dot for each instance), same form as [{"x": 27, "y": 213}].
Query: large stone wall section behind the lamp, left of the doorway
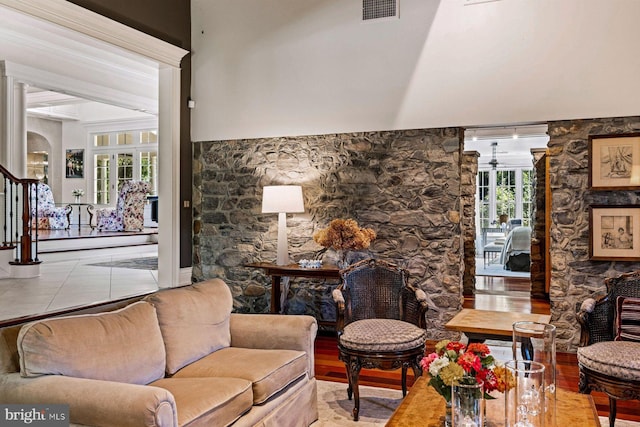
[{"x": 403, "y": 184}]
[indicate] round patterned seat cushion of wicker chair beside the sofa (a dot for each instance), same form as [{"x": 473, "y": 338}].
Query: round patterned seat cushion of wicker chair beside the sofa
[{"x": 382, "y": 335}]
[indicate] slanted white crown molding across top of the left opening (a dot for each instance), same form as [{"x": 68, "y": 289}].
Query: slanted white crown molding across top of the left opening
[{"x": 86, "y": 22}]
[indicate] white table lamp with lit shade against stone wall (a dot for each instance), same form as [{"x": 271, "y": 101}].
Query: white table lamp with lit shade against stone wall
[{"x": 282, "y": 199}]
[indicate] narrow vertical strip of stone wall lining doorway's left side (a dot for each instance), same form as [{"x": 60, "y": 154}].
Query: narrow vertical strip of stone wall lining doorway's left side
[{"x": 468, "y": 190}]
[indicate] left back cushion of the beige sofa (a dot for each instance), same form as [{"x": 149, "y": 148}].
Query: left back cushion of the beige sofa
[{"x": 124, "y": 346}]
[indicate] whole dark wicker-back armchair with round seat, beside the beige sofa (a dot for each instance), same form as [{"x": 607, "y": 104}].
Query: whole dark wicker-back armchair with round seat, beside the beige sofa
[{"x": 380, "y": 322}]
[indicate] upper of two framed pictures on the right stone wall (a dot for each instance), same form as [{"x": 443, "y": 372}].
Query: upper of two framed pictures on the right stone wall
[{"x": 614, "y": 162}]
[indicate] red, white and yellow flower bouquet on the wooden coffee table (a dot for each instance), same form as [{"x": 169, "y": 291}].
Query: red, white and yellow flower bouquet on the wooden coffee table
[{"x": 455, "y": 361}]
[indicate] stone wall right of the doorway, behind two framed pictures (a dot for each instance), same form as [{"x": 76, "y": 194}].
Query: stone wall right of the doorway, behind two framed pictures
[{"x": 574, "y": 276}]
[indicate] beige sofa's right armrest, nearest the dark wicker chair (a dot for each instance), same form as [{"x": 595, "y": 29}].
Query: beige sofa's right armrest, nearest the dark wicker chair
[{"x": 275, "y": 331}]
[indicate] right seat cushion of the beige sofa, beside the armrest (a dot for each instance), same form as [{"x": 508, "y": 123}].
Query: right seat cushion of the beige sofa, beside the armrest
[{"x": 268, "y": 370}]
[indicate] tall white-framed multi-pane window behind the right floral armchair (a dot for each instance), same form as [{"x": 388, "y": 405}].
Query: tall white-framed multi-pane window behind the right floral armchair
[{"x": 122, "y": 156}]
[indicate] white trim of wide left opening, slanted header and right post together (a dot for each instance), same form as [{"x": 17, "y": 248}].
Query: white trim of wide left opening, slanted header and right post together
[{"x": 168, "y": 57}]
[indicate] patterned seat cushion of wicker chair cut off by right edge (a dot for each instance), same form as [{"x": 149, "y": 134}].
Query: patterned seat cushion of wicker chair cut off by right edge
[{"x": 620, "y": 359}]
